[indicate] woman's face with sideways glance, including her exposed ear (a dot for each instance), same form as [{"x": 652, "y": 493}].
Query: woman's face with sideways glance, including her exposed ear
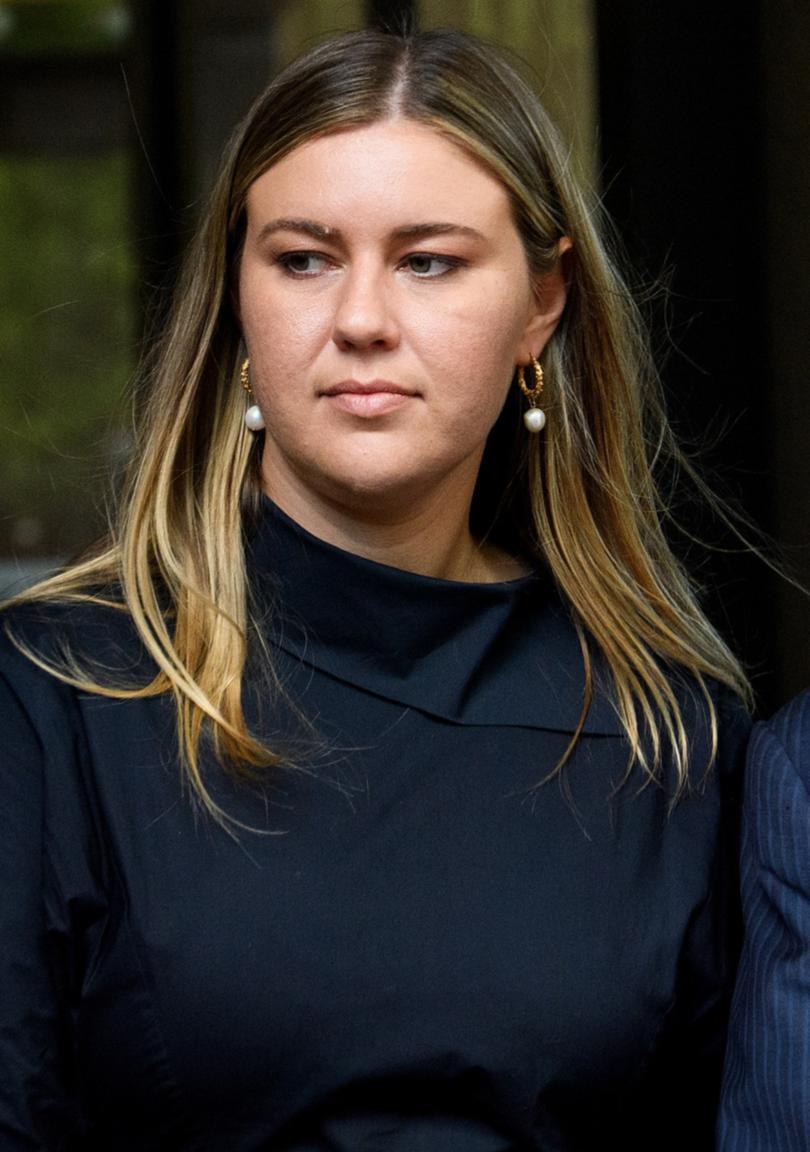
[{"x": 385, "y": 300}]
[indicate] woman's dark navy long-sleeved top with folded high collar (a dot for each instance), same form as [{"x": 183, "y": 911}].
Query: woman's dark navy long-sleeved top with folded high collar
[{"x": 422, "y": 946}]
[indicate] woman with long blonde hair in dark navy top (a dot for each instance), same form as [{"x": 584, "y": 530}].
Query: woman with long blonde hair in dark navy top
[{"x": 463, "y": 742}]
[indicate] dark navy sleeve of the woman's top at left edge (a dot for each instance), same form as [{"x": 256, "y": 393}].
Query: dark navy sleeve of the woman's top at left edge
[{"x": 40, "y": 964}]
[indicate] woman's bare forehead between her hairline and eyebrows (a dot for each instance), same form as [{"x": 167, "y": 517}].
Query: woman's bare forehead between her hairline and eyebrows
[{"x": 390, "y": 169}]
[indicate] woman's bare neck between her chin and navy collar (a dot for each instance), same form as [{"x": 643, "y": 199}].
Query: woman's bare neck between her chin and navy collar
[{"x": 429, "y": 536}]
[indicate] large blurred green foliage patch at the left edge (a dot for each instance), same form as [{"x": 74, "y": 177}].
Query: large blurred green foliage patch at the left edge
[{"x": 69, "y": 321}]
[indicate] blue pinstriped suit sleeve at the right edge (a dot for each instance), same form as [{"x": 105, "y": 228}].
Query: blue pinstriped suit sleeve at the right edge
[{"x": 767, "y": 1090}]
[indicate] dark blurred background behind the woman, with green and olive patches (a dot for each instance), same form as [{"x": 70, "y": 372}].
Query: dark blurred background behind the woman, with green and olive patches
[{"x": 691, "y": 120}]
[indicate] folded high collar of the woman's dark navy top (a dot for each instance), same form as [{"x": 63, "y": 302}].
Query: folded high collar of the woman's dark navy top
[{"x": 488, "y": 654}]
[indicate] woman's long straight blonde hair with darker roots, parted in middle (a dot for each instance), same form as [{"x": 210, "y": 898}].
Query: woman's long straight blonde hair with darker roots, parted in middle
[{"x": 581, "y": 499}]
